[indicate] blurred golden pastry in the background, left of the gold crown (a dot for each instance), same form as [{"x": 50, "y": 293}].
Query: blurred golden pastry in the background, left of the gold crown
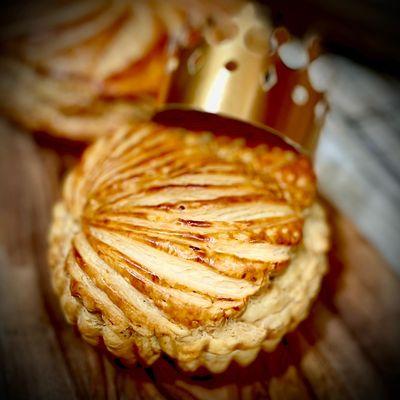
[{"x": 82, "y": 68}]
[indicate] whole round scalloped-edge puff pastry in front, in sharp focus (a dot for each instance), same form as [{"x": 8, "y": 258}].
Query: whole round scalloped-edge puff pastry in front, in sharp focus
[{"x": 169, "y": 241}]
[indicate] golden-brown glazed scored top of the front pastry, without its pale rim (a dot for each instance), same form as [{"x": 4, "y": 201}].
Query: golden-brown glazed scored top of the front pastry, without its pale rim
[{"x": 195, "y": 224}]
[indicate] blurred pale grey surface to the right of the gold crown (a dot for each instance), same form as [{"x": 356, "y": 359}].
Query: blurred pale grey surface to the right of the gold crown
[{"x": 358, "y": 153}]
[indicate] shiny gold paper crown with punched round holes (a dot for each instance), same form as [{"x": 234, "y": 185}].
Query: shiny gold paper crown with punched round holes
[{"x": 245, "y": 69}]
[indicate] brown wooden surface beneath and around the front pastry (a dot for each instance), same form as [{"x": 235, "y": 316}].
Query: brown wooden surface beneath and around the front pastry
[{"x": 348, "y": 348}]
